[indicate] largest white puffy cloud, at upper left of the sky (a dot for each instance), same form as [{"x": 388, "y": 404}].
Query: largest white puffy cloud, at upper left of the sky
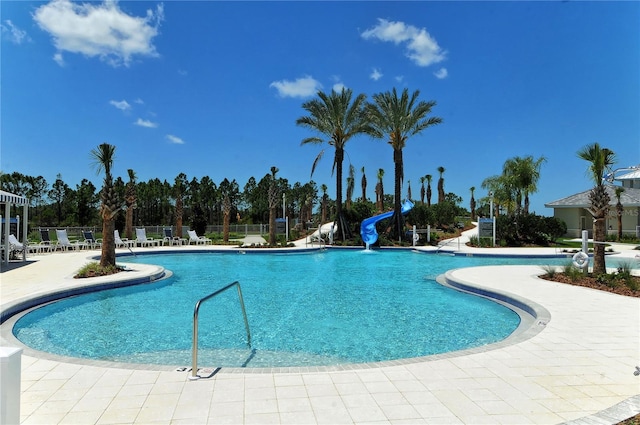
[{"x": 101, "y": 30}]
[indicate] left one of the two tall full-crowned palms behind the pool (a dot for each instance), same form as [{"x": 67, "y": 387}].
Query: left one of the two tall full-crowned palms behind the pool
[{"x": 338, "y": 118}]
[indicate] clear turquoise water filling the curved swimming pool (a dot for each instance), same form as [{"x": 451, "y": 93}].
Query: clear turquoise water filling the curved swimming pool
[{"x": 308, "y": 309}]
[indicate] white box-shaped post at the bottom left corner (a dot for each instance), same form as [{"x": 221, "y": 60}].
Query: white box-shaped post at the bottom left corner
[{"x": 10, "y": 385}]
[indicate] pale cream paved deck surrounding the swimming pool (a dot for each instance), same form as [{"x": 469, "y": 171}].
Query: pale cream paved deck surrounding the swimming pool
[{"x": 579, "y": 368}]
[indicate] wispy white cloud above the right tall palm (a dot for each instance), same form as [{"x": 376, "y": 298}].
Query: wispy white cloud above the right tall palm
[{"x": 421, "y": 47}]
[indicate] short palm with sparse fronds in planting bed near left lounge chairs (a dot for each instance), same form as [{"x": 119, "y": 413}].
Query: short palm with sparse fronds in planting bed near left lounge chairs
[{"x": 103, "y": 157}]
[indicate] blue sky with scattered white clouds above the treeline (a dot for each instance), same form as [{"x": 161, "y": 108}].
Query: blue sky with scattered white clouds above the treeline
[{"x": 214, "y": 88}]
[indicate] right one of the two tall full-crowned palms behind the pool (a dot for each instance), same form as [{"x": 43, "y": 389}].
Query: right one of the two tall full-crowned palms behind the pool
[{"x": 399, "y": 118}]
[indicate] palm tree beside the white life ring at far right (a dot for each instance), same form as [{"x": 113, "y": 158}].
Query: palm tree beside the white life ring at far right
[{"x": 600, "y": 159}]
